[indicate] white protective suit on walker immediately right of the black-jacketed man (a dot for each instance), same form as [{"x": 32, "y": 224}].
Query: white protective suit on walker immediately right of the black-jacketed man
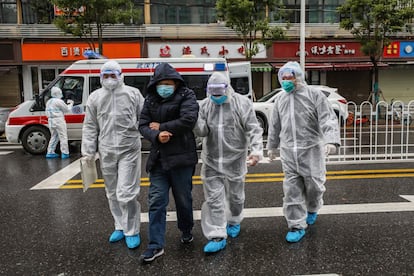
[{"x": 228, "y": 130}]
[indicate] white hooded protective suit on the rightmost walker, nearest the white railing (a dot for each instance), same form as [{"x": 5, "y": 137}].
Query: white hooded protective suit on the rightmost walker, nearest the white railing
[{"x": 302, "y": 123}]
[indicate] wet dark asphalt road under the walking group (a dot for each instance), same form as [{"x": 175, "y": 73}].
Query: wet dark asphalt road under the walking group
[{"x": 65, "y": 231}]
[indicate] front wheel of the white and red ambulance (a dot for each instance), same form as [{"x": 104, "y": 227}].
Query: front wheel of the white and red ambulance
[{"x": 35, "y": 139}]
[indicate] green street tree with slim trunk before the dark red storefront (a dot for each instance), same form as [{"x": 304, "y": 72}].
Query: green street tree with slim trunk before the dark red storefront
[{"x": 374, "y": 23}]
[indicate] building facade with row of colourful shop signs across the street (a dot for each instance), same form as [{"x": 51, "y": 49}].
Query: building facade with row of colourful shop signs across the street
[{"x": 33, "y": 51}]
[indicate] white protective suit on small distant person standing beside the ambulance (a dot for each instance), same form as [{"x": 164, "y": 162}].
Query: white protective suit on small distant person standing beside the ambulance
[{"x": 55, "y": 112}]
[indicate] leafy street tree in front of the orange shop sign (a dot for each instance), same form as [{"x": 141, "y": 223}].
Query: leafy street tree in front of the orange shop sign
[{"x": 88, "y": 18}]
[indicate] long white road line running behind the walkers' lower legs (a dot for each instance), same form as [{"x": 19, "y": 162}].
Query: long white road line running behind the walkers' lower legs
[{"x": 325, "y": 210}]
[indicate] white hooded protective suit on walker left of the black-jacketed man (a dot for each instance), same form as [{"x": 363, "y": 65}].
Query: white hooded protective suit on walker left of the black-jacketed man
[{"x": 111, "y": 127}]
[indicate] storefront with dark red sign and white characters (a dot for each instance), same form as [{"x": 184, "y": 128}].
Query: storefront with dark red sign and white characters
[{"x": 334, "y": 63}]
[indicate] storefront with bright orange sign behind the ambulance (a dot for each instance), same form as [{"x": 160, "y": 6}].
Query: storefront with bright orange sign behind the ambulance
[{"x": 42, "y": 62}]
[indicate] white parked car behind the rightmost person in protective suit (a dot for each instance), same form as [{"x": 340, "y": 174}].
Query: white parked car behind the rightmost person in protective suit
[{"x": 263, "y": 106}]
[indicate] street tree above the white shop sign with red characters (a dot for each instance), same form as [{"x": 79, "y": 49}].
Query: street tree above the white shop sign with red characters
[{"x": 250, "y": 20}]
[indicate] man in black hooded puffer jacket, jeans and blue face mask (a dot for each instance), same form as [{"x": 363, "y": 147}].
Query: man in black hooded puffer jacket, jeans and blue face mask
[{"x": 167, "y": 119}]
